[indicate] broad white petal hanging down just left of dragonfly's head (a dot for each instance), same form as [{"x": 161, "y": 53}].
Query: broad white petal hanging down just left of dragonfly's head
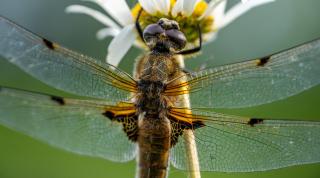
[{"x": 120, "y": 44}]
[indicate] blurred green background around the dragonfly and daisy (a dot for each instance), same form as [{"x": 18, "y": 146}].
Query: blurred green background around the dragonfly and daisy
[{"x": 262, "y": 31}]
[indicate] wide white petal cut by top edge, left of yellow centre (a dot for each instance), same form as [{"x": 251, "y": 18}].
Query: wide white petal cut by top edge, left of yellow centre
[{"x": 117, "y": 9}]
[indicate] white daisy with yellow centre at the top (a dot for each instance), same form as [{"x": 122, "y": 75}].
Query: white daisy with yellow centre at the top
[{"x": 188, "y": 13}]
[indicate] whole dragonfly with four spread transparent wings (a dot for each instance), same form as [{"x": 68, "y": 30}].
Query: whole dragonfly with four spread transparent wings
[{"x": 121, "y": 117}]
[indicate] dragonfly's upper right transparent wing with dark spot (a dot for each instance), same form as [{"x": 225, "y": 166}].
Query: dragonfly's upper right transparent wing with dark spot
[{"x": 254, "y": 82}]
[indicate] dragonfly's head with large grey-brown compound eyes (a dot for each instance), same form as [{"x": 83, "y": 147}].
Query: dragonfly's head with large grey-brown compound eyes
[{"x": 164, "y": 36}]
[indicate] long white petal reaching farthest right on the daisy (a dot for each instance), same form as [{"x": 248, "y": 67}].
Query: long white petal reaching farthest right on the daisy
[{"x": 239, "y": 10}]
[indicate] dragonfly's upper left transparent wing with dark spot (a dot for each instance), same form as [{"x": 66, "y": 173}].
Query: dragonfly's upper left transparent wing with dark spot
[{"x": 62, "y": 68}]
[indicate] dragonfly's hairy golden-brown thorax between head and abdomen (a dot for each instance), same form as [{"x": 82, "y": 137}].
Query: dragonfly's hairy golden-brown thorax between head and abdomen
[{"x": 154, "y": 71}]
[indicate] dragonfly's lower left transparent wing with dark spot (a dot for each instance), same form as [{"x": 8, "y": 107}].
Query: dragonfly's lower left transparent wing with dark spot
[{"x": 74, "y": 125}]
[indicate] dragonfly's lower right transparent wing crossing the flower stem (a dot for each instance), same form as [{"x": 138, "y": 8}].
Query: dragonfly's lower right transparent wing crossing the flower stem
[{"x": 235, "y": 144}]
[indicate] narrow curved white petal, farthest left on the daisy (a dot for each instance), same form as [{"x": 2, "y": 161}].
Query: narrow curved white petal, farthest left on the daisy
[{"x": 93, "y": 13}]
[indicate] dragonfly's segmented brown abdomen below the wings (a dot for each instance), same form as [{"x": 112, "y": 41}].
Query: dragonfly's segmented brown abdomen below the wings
[{"x": 154, "y": 144}]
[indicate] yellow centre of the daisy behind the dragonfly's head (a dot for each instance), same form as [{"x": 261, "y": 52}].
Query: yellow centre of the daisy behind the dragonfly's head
[{"x": 188, "y": 24}]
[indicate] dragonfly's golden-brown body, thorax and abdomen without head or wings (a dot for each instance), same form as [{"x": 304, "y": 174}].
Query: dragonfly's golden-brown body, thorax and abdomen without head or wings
[{"x": 154, "y": 129}]
